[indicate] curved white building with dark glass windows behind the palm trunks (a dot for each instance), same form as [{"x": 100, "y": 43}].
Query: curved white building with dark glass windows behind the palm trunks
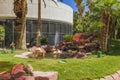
[{"x": 55, "y": 20}]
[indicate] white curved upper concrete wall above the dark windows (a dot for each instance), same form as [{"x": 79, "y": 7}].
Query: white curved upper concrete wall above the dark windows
[{"x": 59, "y": 12}]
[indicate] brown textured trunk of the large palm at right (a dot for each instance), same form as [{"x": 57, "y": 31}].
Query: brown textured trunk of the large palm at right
[{"x": 104, "y": 31}]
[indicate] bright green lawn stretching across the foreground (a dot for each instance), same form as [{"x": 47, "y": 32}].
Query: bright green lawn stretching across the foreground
[{"x": 74, "y": 69}]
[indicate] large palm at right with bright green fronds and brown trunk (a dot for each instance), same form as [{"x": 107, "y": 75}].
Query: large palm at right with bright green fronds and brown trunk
[{"x": 102, "y": 18}]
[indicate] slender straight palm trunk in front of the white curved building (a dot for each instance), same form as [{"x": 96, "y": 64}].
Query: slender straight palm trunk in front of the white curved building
[{"x": 38, "y": 43}]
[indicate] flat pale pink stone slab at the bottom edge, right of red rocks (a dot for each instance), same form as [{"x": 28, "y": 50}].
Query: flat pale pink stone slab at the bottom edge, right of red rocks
[{"x": 45, "y": 75}]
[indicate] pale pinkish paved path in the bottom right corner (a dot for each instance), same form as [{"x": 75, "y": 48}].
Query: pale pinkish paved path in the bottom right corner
[{"x": 115, "y": 76}]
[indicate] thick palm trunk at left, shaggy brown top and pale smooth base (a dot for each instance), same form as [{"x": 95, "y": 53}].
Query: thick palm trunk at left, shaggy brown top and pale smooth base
[{"x": 20, "y": 10}]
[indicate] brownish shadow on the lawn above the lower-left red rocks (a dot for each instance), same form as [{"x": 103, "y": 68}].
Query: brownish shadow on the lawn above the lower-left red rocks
[{"x": 5, "y": 66}]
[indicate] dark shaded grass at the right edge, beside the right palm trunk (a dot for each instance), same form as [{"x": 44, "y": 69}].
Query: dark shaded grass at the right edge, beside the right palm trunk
[{"x": 114, "y": 49}]
